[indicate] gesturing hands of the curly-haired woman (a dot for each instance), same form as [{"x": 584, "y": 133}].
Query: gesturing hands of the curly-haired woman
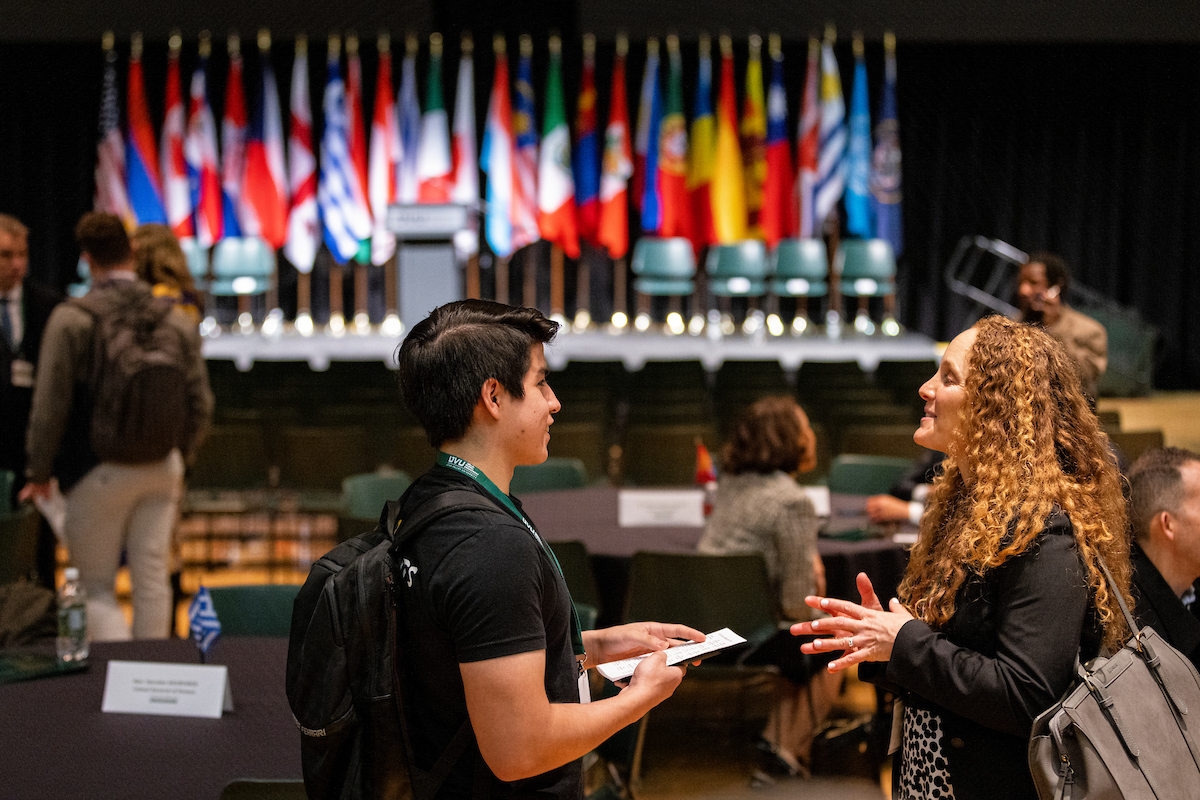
[{"x": 865, "y": 630}]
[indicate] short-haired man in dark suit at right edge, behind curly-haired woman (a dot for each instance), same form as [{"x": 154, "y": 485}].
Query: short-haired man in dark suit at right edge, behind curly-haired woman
[{"x": 1165, "y": 514}]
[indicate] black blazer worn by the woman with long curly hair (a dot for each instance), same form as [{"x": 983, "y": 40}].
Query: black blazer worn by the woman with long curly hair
[{"x": 1006, "y": 655}]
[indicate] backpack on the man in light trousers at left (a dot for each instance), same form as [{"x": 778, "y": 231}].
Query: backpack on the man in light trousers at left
[{"x": 139, "y": 382}]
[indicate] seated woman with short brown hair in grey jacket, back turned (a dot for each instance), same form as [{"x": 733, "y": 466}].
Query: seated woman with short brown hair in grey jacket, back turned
[{"x": 761, "y": 509}]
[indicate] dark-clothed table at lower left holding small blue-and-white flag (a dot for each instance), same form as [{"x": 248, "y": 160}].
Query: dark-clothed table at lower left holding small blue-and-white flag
[{"x": 59, "y": 744}]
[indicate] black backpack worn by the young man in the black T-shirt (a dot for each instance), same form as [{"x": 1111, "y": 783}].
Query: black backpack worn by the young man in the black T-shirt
[{"x": 344, "y": 667}]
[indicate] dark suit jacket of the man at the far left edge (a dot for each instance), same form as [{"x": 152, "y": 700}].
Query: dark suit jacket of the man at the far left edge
[{"x": 38, "y": 303}]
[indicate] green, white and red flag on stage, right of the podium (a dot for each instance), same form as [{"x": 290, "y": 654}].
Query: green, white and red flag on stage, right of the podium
[{"x": 556, "y": 185}]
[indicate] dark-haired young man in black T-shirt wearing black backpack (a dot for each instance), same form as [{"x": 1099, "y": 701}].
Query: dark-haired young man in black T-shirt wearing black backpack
[{"x": 441, "y": 657}]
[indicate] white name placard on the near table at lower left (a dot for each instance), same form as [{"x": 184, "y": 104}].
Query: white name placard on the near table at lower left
[{"x": 167, "y": 689}]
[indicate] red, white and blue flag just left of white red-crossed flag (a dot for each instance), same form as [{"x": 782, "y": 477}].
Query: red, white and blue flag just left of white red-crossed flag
[{"x": 265, "y": 184}]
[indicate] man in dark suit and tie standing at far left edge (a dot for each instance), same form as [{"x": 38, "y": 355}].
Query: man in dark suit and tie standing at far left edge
[{"x": 25, "y": 309}]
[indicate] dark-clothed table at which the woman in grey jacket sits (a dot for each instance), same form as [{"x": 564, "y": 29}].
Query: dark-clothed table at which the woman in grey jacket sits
[{"x": 591, "y": 516}]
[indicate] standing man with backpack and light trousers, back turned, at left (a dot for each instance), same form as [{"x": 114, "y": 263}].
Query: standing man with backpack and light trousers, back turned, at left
[{"x": 122, "y": 400}]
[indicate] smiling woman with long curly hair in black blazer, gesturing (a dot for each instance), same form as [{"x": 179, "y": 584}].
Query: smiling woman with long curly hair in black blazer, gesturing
[{"x": 1004, "y": 588}]
